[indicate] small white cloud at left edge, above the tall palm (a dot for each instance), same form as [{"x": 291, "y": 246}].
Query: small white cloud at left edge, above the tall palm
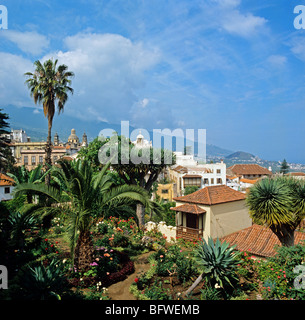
[{"x": 29, "y": 41}]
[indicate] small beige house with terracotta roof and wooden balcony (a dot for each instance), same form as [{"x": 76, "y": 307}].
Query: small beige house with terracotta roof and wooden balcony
[{"x": 213, "y": 211}]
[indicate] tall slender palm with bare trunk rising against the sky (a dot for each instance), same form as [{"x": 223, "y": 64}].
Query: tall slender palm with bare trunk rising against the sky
[{"x": 49, "y": 84}]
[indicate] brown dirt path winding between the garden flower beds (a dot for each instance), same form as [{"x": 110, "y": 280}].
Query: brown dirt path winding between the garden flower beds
[{"x": 120, "y": 290}]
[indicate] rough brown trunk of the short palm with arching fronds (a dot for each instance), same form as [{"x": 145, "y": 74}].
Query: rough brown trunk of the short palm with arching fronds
[{"x": 84, "y": 251}]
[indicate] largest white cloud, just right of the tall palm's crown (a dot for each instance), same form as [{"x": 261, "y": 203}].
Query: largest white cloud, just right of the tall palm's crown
[{"x": 109, "y": 70}]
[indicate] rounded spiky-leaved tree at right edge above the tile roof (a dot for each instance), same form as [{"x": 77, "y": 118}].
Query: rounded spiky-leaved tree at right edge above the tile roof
[{"x": 279, "y": 203}]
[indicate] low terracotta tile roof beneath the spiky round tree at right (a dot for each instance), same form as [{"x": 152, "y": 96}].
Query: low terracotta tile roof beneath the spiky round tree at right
[{"x": 258, "y": 240}]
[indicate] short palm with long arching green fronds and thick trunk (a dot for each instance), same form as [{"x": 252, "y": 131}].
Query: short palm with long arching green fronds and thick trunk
[{"x": 90, "y": 195}]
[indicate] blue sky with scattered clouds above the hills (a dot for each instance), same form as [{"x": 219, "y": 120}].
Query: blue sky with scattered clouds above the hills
[{"x": 233, "y": 67}]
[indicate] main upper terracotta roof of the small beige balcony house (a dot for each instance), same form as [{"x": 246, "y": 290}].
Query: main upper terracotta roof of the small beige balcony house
[{"x": 212, "y": 195}]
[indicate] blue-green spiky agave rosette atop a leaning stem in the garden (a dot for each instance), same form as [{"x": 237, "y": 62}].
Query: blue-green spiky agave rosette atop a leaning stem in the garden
[{"x": 217, "y": 261}]
